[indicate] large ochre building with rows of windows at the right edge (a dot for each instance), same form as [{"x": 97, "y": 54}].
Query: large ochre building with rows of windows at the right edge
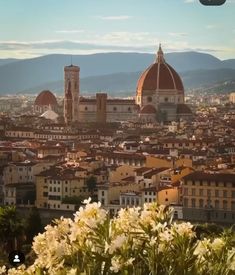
[{"x": 209, "y": 197}]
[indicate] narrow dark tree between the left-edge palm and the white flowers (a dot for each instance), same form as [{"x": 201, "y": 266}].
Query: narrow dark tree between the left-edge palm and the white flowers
[{"x": 33, "y": 224}]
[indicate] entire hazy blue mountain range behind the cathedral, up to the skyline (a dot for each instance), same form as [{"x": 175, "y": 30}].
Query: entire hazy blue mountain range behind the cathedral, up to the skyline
[{"x": 114, "y": 72}]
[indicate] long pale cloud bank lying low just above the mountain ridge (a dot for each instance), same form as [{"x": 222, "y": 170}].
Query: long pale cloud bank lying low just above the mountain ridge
[{"x": 111, "y": 42}]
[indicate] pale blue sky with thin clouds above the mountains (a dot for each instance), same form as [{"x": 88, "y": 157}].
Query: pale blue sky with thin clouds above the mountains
[{"x": 31, "y": 28}]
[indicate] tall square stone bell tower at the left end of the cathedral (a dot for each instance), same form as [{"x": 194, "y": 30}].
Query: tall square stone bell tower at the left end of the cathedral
[{"x": 71, "y": 92}]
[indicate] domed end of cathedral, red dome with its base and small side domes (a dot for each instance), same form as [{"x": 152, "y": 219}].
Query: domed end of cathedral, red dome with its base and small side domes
[{"x": 160, "y": 93}]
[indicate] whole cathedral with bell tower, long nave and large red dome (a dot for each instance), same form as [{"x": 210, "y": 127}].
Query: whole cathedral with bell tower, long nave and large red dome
[{"x": 159, "y": 97}]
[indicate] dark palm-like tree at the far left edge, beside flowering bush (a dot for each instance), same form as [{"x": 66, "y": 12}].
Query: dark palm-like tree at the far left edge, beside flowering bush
[{"x": 11, "y": 228}]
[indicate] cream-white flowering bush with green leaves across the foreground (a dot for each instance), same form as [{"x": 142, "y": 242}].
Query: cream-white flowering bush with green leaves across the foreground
[{"x": 138, "y": 241}]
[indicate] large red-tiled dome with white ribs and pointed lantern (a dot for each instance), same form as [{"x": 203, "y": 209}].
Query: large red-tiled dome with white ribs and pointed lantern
[{"x": 159, "y": 76}]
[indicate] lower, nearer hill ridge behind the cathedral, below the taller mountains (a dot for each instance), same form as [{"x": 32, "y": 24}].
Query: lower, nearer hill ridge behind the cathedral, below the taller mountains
[{"x": 121, "y": 84}]
